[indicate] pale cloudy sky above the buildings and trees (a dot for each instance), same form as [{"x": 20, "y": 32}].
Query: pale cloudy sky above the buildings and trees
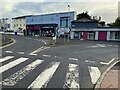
[{"x": 107, "y": 9}]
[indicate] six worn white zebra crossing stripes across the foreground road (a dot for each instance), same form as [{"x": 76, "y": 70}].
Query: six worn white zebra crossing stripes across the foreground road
[{"x": 41, "y": 81}]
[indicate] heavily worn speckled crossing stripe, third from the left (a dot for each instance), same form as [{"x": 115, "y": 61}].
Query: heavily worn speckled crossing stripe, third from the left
[{"x": 16, "y": 77}]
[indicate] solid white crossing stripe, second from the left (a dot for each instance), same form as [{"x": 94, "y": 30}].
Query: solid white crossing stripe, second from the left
[{"x": 12, "y": 64}]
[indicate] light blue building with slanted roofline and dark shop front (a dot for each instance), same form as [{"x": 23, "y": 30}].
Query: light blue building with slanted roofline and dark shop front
[{"x": 49, "y": 24}]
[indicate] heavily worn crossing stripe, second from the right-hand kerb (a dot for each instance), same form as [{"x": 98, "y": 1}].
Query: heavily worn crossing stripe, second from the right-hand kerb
[{"x": 72, "y": 77}]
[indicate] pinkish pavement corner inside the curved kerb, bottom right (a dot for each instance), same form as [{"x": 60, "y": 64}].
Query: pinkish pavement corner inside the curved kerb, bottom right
[{"x": 112, "y": 79}]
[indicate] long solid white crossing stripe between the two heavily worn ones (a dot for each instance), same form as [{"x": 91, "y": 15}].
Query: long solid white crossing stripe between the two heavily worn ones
[{"x": 42, "y": 80}]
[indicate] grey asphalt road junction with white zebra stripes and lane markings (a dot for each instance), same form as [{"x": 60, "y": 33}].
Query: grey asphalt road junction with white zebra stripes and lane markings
[{"x": 30, "y": 64}]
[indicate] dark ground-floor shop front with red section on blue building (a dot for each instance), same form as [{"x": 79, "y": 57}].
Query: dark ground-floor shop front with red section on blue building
[{"x": 41, "y": 30}]
